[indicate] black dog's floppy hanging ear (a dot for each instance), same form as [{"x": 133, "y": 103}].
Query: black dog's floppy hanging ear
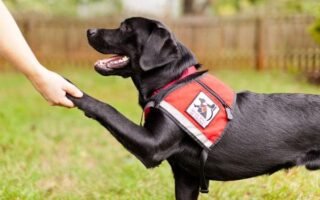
[{"x": 160, "y": 49}]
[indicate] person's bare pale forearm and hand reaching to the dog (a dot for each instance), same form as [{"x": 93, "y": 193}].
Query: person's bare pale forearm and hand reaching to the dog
[{"x": 14, "y": 48}]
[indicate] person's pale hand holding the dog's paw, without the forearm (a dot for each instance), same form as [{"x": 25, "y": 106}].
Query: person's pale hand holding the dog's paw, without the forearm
[{"x": 54, "y": 88}]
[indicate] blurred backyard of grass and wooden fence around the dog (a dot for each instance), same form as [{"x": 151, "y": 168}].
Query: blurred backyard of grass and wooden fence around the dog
[{"x": 56, "y": 153}]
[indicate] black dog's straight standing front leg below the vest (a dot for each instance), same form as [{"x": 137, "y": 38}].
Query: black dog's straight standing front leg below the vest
[{"x": 186, "y": 186}]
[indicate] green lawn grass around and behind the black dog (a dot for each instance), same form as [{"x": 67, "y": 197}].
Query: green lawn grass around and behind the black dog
[{"x": 57, "y": 153}]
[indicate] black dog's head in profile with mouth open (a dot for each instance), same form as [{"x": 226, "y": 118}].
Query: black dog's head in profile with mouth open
[{"x": 139, "y": 45}]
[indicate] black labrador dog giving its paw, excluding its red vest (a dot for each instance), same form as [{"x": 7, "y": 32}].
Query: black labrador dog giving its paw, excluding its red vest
[{"x": 269, "y": 132}]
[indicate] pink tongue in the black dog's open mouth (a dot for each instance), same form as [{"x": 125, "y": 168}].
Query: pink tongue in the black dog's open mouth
[{"x": 112, "y": 63}]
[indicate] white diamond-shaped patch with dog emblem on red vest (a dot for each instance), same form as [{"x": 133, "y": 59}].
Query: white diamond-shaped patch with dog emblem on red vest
[{"x": 203, "y": 109}]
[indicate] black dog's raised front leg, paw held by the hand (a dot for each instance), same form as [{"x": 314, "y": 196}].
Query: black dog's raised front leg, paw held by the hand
[{"x": 150, "y": 146}]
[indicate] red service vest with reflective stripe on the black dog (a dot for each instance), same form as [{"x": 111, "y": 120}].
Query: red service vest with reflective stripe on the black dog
[{"x": 201, "y": 107}]
